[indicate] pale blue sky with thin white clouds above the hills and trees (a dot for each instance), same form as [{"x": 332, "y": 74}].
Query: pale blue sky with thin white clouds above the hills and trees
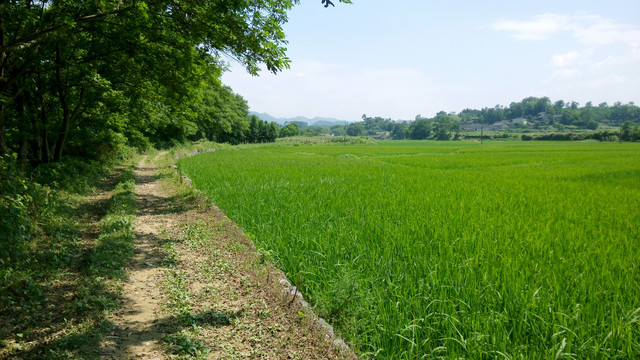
[{"x": 402, "y": 58}]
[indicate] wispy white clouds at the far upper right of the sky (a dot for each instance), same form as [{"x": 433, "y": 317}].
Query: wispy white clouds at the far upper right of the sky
[{"x": 605, "y": 48}]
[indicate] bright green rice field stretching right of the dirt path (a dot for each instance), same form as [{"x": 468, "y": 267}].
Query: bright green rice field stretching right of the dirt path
[{"x": 449, "y": 249}]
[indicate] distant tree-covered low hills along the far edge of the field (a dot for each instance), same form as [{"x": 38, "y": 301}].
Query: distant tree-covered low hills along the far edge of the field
[{"x": 537, "y": 114}]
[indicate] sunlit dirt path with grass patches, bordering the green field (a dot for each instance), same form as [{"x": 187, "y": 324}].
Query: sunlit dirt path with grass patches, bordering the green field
[{"x": 198, "y": 289}]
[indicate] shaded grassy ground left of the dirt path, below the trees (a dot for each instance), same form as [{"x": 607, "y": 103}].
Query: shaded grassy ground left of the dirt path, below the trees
[{"x": 55, "y": 298}]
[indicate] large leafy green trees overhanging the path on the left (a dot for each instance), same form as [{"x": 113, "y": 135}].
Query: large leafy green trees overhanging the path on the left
[{"x": 82, "y": 78}]
